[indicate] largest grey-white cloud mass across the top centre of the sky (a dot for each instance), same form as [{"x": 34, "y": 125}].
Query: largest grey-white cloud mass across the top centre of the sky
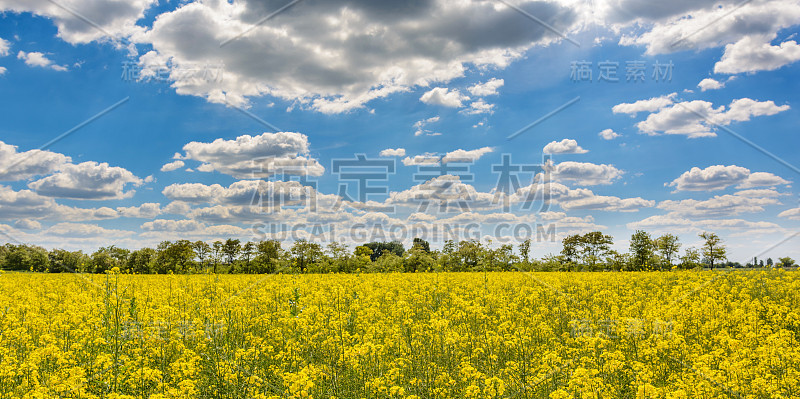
[{"x": 389, "y": 47}]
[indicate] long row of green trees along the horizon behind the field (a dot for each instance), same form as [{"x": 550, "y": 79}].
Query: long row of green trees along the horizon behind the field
[{"x": 580, "y": 252}]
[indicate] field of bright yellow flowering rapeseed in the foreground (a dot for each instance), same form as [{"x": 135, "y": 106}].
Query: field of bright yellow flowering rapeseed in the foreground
[{"x": 471, "y": 335}]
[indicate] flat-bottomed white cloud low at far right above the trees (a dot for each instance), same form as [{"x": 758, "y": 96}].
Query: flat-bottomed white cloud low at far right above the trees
[{"x": 718, "y": 177}]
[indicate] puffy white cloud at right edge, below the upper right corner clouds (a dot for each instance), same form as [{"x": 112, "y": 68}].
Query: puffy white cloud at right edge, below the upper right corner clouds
[{"x": 753, "y": 54}]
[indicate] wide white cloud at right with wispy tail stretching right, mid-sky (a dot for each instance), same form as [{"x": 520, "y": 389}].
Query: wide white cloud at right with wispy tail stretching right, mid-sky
[{"x": 698, "y": 118}]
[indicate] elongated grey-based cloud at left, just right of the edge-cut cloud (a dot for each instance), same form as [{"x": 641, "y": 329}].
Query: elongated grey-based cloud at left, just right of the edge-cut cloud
[{"x": 88, "y": 181}]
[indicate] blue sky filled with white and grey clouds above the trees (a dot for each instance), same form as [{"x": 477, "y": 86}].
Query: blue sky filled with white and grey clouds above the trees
[{"x": 433, "y": 82}]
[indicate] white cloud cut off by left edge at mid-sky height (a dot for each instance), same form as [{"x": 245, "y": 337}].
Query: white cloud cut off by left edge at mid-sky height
[{"x": 24, "y": 165}]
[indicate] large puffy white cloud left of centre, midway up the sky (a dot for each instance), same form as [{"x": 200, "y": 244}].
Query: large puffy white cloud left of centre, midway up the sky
[{"x": 260, "y": 156}]
